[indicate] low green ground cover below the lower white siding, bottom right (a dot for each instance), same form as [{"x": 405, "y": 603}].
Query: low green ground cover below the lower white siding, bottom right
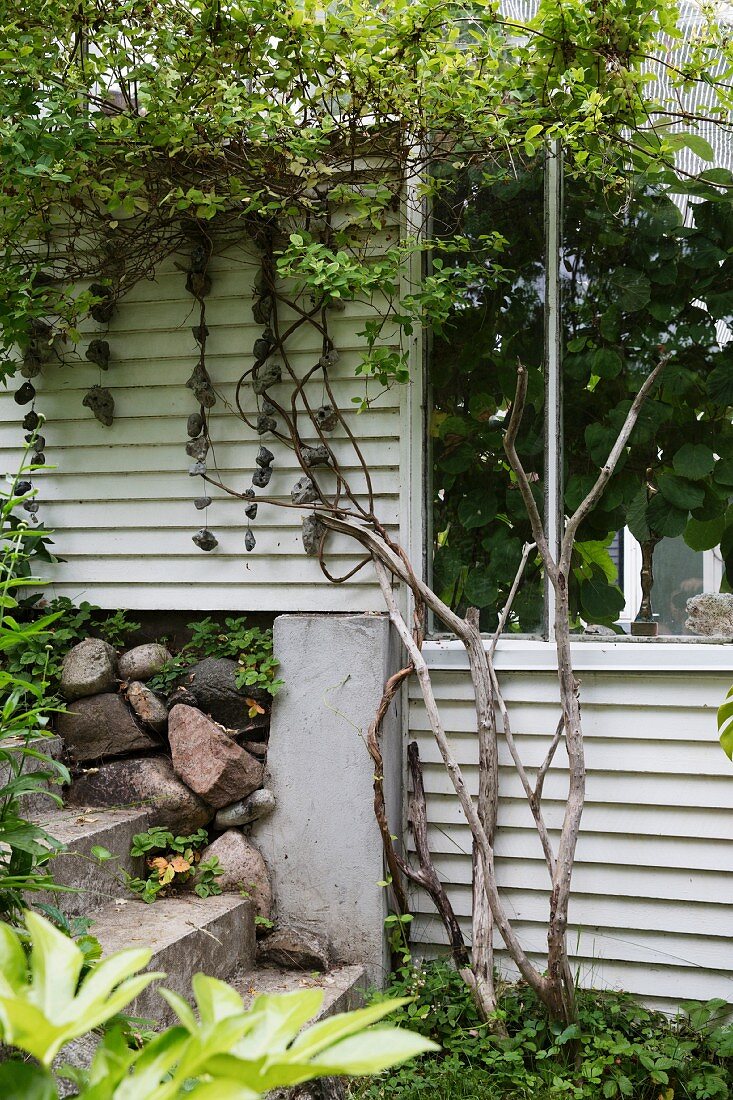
[{"x": 618, "y": 1048}]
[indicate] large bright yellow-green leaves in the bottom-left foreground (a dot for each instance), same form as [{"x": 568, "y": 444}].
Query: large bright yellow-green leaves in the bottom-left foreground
[{"x": 221, "y": 1052}]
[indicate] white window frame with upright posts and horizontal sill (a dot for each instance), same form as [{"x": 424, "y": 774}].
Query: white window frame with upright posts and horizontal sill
[{"x": 621, "y": 654}]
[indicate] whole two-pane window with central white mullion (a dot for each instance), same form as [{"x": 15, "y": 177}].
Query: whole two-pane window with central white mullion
[{"x": 639, "y": 269}]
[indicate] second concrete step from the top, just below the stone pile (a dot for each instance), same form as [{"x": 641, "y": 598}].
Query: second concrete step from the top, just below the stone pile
[{"x": 96, "y": 884}]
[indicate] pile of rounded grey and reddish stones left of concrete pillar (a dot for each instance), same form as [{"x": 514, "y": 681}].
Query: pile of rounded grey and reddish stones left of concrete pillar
[{"x": 193, "y": 760}]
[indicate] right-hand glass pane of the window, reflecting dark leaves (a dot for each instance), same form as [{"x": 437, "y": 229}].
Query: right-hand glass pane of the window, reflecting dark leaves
[{"x": 643, "y": 270}]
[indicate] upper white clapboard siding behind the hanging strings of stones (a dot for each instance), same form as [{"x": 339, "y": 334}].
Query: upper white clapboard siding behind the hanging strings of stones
[{"x": 119, "y": 501}]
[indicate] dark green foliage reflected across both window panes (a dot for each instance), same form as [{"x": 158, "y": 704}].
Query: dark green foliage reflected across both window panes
[{"x": 633, "y": 281}]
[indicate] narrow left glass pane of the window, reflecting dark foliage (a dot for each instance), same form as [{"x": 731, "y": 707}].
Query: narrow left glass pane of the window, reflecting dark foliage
[{"x": 478, "y": 516}]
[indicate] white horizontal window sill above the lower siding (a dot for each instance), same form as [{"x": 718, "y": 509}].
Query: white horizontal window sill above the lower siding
[{"x": 596, "y": 655}]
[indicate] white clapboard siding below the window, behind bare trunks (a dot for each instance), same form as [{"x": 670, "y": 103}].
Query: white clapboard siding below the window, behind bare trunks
[{"x": 652, "y": 906}]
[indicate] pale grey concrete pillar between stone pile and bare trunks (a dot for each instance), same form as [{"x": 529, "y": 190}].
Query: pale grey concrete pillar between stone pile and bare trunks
[{"x": 322, "y": 843}]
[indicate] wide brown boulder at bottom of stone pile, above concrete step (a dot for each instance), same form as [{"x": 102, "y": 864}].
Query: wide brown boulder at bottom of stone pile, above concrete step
[{"x": 149, "y": 783}]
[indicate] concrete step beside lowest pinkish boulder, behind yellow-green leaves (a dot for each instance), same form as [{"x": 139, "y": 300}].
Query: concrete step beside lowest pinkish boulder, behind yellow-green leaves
[{"x": 188, "y": 936}]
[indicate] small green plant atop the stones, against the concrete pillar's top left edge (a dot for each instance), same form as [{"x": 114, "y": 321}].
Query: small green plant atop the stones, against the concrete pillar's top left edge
[{"x": 249, "y": 646}]
